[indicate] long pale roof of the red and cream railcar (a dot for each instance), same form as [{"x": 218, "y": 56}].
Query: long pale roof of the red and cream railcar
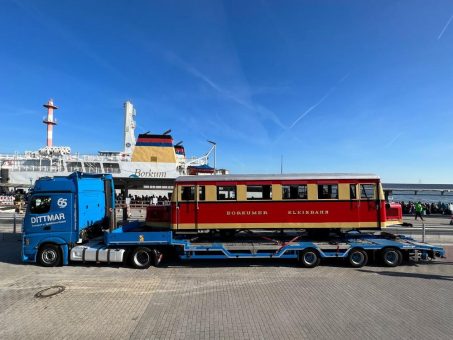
[{"x": 271, "y": 177}]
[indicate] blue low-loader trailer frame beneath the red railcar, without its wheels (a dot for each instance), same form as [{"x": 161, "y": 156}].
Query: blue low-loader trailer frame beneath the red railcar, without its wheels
[{"x": 266, "y": 244}]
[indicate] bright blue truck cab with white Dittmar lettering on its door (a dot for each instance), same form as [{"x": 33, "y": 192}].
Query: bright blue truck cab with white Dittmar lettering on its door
[{"x": 65, "y": 211}]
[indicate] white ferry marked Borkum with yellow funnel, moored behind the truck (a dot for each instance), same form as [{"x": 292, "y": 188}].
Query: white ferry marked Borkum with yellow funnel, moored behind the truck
[{"x": 150, "y": 156}]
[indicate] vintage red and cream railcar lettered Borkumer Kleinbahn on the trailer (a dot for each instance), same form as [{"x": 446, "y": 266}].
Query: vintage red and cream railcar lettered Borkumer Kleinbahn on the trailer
[{"x": 283, "y": 201}]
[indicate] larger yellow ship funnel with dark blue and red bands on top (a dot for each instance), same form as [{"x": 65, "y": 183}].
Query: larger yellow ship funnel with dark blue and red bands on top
[{"x": 154, "y": 148}]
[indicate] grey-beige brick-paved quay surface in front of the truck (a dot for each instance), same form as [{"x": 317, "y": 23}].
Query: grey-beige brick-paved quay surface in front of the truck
[{"x": 225, "y": 299}]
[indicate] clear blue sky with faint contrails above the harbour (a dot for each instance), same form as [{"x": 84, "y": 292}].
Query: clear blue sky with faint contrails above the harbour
[{"x": 332, "y": 86}]
